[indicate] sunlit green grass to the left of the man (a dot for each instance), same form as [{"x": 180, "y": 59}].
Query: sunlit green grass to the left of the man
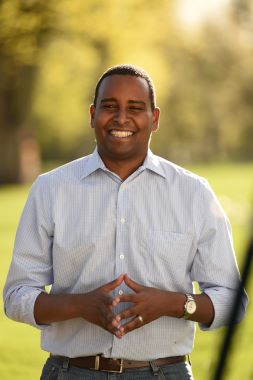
[{"x": 21, "y": 357}]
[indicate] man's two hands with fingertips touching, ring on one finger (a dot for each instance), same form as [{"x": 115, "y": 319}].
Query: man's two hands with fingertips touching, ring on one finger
[{"x": 149, "y": 303}]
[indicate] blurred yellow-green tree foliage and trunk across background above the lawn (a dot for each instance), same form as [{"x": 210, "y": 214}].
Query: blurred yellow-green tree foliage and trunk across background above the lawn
[{"x": 52, "y": 53}]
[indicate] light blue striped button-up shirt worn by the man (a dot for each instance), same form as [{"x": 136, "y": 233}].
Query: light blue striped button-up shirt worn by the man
[{"x": 83, "y": 226}]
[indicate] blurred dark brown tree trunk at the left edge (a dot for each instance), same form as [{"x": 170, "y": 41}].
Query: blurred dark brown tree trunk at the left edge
[{"x": 15, "y": 100}]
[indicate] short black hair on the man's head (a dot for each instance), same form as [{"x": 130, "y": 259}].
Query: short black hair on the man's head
[{"x": 132, "y": 70}]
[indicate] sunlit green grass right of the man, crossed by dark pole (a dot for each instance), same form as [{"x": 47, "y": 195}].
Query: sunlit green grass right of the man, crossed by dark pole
[{"x": 233, "y": 184}]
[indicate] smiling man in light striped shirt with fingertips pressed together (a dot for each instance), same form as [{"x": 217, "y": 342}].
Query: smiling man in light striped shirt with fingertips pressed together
[{"x": 121, "y": 235}]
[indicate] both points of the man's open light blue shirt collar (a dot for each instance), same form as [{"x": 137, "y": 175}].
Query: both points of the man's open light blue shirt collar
[{"x": 95, "y": 162}]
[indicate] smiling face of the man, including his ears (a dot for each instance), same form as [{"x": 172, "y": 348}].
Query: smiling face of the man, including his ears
[{"x": 123, "y": 119}]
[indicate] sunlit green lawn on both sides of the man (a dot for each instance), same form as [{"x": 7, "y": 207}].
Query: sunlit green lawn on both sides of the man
[{"x": 21, "y": 357}]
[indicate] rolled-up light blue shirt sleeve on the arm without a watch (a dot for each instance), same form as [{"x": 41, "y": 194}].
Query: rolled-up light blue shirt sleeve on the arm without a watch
[{"x": 31, "y": 267}]
